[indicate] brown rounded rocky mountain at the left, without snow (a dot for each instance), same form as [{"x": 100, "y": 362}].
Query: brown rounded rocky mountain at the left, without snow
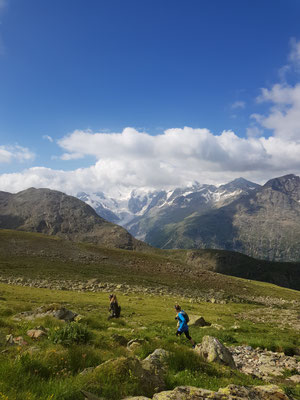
[{"x": 55, "y": 213}]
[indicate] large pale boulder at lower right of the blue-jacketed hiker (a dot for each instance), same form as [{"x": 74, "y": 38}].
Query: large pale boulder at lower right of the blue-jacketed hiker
[{"x": 212, "y": 350}]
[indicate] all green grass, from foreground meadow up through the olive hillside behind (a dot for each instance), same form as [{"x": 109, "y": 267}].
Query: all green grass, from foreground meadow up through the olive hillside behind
[{"x": 50, "y": 367}]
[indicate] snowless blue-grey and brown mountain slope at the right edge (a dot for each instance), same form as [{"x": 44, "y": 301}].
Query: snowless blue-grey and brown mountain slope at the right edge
[{"x": 263, "y": 224}]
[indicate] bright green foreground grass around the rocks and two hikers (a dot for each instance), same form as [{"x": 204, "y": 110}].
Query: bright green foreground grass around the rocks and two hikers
[{"x": 54, "y": 369}]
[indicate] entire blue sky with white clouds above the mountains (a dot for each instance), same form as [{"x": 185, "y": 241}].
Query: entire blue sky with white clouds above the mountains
[{"x": 124, "y": 94}]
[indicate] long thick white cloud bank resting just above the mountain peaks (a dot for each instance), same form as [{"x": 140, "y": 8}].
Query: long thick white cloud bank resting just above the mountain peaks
[{"x": 179, "y": 156}]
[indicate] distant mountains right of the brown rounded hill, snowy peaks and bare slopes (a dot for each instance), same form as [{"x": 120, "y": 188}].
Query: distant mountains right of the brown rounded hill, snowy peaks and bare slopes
[{"x": 260, "y": 221}]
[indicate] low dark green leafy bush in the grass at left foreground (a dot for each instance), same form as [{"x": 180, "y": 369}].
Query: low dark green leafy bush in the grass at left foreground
[{"x": 70, "y": 333}]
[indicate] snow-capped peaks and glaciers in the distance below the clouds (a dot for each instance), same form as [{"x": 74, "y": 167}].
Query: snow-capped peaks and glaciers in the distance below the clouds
[{"x": 143, "y": 210}]
